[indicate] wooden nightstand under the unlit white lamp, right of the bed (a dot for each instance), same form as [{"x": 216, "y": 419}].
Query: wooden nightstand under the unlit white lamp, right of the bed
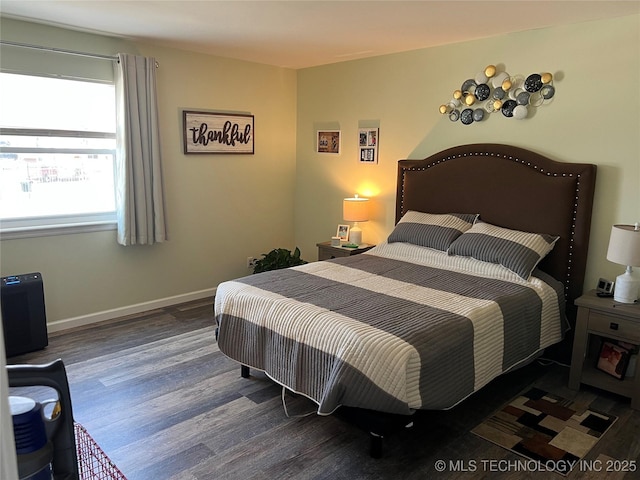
[{"x": 600, "y": 318}]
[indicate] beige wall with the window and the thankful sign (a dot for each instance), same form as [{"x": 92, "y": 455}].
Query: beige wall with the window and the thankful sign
[{"x": 221, "y": 208}]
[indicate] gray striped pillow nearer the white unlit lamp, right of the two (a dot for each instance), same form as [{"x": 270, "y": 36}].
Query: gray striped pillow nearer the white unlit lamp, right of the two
[{"x": 518, "y": 251}]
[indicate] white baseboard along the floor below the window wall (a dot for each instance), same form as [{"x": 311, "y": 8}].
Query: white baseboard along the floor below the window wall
[{"x": 83, "y": 320}]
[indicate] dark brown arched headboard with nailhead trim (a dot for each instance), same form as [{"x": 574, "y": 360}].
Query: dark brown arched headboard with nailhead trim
[{"x": 510, "y": 187}]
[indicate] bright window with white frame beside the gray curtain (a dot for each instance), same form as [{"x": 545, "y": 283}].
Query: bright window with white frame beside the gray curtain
[{"x": 57, "y": 152}]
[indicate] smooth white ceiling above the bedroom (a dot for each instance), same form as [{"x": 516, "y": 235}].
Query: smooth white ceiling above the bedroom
[{"x": 305, "y": 33}]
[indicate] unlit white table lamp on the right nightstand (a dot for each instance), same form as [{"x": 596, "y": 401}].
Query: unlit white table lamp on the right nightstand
[{"x": 624, "y": 248}]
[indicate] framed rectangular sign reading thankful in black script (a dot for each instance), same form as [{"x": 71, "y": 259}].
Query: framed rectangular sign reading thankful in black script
[{"x": 206, "y": 132}]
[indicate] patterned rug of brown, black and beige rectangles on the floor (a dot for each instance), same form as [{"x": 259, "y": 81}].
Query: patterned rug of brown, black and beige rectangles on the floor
[{"x": 546, "y": 428}]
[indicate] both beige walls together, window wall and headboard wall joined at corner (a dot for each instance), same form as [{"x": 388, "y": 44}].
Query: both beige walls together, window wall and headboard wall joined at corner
[{"x": 224, "y": 208}]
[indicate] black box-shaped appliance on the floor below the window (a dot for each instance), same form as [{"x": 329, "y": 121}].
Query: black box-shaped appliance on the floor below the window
[{"x": 24, "y": 320}]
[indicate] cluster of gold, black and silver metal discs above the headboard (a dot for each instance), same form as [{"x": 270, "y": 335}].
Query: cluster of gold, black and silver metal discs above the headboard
[{"x": 492, "y": 91}]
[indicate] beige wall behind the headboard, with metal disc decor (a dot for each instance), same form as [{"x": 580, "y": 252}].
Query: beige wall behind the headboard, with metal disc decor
[{"x": 595, "y": 118}]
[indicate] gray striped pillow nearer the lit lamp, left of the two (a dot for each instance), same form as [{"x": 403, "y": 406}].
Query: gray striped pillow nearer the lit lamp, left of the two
[{"x": 430, "y": 229}]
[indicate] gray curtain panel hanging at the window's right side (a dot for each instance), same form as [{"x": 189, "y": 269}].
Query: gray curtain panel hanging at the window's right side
[{"x": 139, "y": 185}]
